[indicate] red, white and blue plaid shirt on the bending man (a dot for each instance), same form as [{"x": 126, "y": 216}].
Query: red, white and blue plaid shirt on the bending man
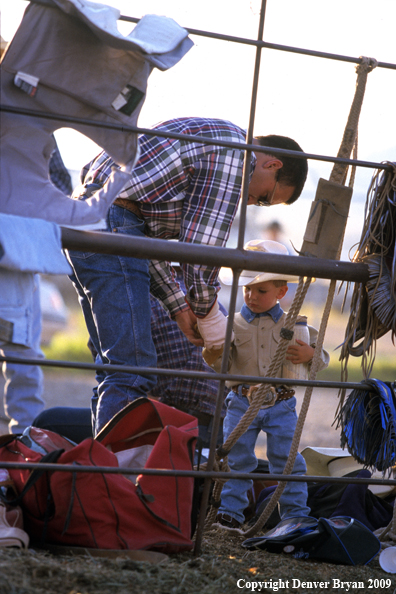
[{"x": 185, "y": 191}]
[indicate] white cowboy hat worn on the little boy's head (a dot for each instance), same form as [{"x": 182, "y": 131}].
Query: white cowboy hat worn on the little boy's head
[{"x": 251, "y": 277}]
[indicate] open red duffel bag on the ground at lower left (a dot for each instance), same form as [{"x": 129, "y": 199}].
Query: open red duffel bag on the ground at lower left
[{"x": 102, "y": 510}]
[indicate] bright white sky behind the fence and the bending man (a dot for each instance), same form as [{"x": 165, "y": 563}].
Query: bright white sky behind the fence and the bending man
[{"x": 304, "y": 97}]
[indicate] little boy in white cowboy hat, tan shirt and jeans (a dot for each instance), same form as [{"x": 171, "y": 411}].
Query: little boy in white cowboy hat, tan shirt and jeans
[{"x": 256, "y": 335}]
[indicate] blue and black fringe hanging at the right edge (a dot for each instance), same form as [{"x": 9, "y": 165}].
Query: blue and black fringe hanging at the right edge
[{"x": 368, "y": 425}]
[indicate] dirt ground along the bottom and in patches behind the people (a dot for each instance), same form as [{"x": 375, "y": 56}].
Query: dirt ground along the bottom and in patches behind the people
[{"x": 222, "y": 565}]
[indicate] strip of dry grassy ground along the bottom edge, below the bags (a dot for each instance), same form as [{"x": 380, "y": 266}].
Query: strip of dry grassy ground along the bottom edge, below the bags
[{"x": 217, "y": 569}]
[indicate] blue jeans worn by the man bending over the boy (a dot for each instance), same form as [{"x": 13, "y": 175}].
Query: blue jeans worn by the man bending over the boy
[{"x": 114, "y": 293}]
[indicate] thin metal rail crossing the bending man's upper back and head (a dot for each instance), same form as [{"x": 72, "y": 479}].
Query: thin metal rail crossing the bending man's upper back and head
[{"x": 187, "y": 137}]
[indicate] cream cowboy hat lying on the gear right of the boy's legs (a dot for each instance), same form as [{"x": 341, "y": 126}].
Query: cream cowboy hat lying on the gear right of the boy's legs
[{"x": 339, "y": 462}]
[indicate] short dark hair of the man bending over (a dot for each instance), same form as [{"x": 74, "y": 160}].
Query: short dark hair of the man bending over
[{"x": 294, "y": 171}]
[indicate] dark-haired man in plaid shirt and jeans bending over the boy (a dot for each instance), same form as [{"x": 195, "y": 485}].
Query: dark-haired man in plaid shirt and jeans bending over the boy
[{"x": 179, "y": 189}]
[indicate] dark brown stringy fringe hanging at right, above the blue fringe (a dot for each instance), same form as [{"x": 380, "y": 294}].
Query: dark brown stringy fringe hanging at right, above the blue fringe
[{"x": 373, "y": 306}]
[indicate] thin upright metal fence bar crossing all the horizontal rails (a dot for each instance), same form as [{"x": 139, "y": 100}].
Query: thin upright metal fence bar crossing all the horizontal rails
[{"x": 234, "y": 289}]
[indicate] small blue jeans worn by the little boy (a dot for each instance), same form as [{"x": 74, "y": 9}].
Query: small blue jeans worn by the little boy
[{"x": 279, "y": 423}]
